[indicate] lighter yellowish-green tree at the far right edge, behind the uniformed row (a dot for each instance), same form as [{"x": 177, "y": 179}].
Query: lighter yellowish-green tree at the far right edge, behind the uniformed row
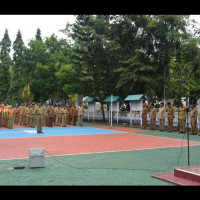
[{"x": 184, "y": 72}]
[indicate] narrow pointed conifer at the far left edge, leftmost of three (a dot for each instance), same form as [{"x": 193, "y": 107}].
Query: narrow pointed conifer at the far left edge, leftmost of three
[{"x": 5, "y": 64}]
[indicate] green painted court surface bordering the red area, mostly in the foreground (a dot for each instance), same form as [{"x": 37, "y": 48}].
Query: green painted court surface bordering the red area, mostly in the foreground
[{"x": 124, "y": 168}]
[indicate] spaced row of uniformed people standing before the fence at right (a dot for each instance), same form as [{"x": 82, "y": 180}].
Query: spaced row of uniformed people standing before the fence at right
[{"x": 161, "y": 114}]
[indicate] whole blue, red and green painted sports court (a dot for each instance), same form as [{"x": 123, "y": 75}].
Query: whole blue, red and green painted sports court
[{"x": 93, "y": 154}]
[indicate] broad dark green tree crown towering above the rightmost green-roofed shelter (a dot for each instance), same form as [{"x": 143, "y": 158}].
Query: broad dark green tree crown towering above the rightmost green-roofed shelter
[{"x": 144, "y": 45}]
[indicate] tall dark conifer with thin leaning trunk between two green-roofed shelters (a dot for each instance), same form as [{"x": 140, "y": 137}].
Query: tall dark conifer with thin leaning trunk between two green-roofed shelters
[{"x": 92, "y": 56}]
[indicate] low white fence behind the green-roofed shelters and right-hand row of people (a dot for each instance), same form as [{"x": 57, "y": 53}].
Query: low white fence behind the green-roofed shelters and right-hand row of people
[{"x": 132, "y": 118}]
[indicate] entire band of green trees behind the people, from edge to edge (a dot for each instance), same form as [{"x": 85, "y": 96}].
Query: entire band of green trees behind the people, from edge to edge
[{"x": 109, "y": 54}]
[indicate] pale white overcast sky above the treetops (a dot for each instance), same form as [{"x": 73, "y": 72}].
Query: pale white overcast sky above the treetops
[{"x": 48, "y": 25}]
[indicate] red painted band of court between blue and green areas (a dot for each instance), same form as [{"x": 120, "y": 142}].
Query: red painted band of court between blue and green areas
[{"x": 80, "y": 144}]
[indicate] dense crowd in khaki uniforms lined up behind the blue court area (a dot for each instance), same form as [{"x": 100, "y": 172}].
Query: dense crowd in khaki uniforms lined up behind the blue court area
[{"x": 50, "y": 115}]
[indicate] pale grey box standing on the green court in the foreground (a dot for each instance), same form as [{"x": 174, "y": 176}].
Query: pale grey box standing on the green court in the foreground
[{"x": 36, "y": 157}]
